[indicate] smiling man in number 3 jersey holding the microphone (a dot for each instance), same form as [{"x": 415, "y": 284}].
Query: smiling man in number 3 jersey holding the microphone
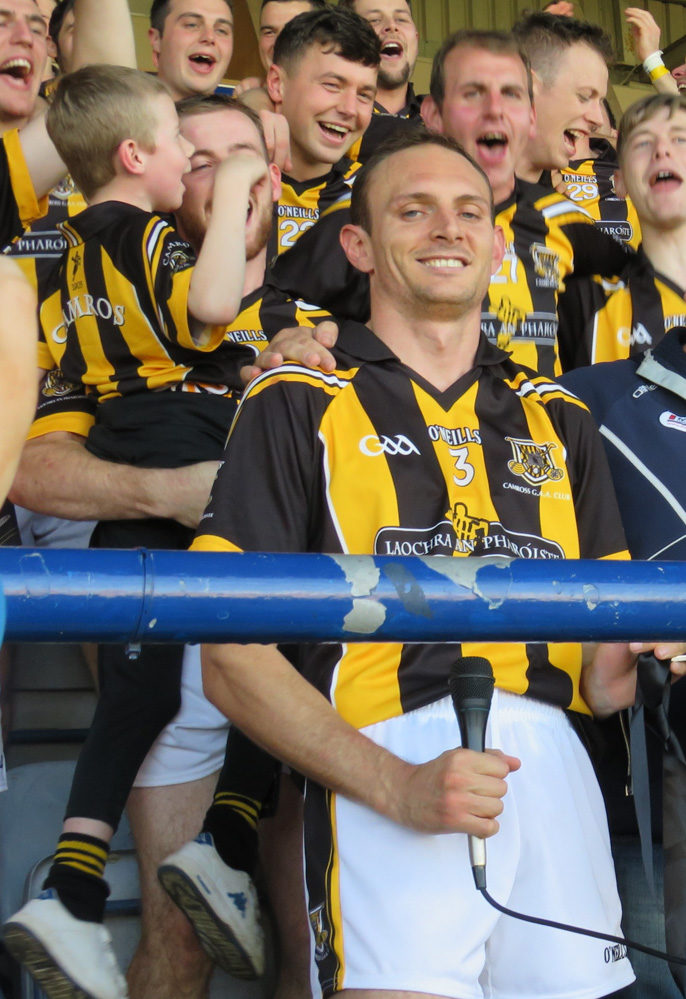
[{"x": 426, "y": 438}]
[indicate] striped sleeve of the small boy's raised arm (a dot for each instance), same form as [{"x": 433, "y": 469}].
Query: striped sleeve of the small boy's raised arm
[{"x": 168, "y": 262}]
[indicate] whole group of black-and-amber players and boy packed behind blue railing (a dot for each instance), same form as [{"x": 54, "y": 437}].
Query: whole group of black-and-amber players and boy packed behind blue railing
[{"x": 443, "y": 431}]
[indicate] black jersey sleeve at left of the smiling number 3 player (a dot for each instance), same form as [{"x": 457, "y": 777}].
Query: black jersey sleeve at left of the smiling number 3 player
[{"x": 263, "y": 490}]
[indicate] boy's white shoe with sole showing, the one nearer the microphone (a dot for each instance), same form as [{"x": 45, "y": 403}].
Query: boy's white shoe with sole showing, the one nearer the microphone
[{"x": 221, "y": 904}]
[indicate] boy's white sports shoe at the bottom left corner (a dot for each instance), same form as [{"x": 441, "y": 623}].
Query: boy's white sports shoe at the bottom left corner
[{"x": 69, "y": 958}]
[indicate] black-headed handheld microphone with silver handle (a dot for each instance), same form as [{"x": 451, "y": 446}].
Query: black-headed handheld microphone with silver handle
[{"x": 471, "y": 685}]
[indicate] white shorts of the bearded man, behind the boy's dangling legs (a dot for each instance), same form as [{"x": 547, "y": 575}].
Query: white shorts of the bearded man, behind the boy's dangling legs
[{"x": 192, "y": 745}]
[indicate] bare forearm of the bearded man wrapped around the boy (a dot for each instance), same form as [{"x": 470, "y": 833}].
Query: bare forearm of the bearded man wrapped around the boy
[{"x": 58, "y": 477}]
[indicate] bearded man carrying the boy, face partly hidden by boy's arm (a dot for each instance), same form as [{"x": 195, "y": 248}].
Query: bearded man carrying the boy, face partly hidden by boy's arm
[{"x": 60, "y": 477}]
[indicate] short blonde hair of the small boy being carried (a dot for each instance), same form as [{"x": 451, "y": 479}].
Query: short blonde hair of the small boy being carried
[{"x": 93, "y": 111}]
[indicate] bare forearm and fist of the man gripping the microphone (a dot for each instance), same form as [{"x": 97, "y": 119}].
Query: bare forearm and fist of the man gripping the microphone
[{"x": 259, "y": 691}]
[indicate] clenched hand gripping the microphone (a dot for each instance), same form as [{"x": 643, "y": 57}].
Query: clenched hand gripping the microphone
[{"x": 460, "y": 791}]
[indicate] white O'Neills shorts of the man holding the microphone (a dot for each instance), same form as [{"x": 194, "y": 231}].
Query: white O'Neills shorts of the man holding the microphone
[{"x": 391, "y": 908}]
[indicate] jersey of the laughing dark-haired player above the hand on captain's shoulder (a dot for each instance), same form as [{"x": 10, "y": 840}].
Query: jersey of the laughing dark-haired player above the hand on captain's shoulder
[{"x": 302, "y": 202}]
